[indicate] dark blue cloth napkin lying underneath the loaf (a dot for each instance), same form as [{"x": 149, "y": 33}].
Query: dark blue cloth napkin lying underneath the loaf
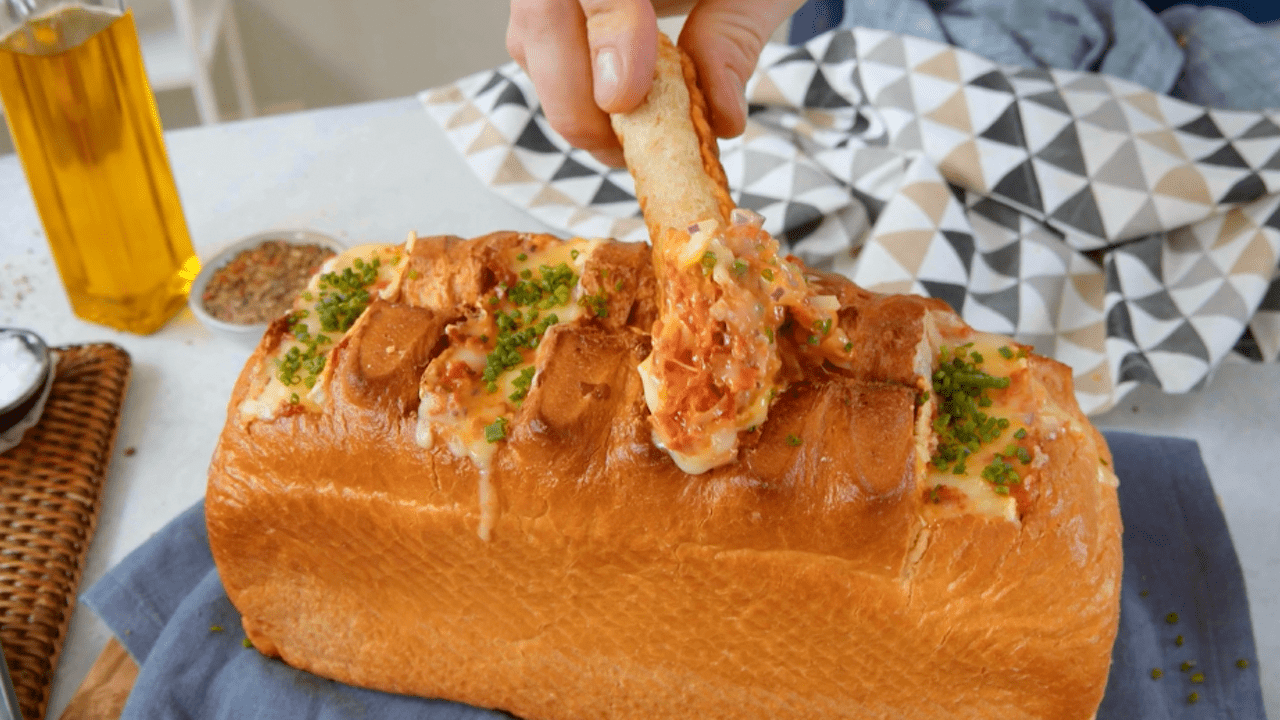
[{"x": 168, "y": 608}]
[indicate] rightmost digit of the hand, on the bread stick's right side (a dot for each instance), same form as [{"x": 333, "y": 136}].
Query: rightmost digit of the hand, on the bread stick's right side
[{"x": 725, "y": 39}]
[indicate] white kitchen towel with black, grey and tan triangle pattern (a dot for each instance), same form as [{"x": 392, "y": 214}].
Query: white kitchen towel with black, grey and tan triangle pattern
[{"x": 1130, "y": 235}]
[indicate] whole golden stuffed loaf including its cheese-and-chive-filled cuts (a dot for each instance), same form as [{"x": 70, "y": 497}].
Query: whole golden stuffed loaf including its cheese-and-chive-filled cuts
[{"x": 465, "y": 499}]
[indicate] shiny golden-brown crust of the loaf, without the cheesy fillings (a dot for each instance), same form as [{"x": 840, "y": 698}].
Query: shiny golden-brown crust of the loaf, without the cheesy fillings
[{"x": 804, "y": 581}]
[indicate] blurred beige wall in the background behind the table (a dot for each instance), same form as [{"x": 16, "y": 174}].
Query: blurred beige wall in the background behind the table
[{"x": 305, "y": 54}]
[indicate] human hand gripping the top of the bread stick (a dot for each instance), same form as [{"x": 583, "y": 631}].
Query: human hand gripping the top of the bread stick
[{"x": 591, "y": 58}]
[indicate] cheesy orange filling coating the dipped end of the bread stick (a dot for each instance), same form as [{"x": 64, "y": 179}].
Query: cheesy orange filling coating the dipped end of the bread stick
[{"x": 729, "y": 303}]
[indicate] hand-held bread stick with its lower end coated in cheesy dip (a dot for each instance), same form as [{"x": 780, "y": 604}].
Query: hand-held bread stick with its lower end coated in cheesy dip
[{"x": 729, "y": 303}]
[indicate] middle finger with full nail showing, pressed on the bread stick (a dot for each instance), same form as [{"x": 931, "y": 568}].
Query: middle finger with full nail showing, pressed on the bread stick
[{"x": 623, "y": 37}]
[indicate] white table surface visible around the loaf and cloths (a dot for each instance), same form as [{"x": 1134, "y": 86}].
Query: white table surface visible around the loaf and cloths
[{"x": 372, "y": 174}]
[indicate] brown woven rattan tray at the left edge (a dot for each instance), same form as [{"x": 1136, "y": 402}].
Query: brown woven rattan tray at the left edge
[{"x": 51, "y": 494}]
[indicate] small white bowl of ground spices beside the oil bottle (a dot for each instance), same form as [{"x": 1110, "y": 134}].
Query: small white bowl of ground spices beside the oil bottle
[{"x": 255, "y": 280}]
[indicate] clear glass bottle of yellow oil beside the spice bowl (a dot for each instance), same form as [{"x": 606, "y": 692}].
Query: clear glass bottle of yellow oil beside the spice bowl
[{"x": 85, "y": 125}]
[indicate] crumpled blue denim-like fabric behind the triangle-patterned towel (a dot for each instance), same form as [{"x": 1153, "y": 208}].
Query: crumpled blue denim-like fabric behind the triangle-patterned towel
[{"x": 1206, "y": 56}]
